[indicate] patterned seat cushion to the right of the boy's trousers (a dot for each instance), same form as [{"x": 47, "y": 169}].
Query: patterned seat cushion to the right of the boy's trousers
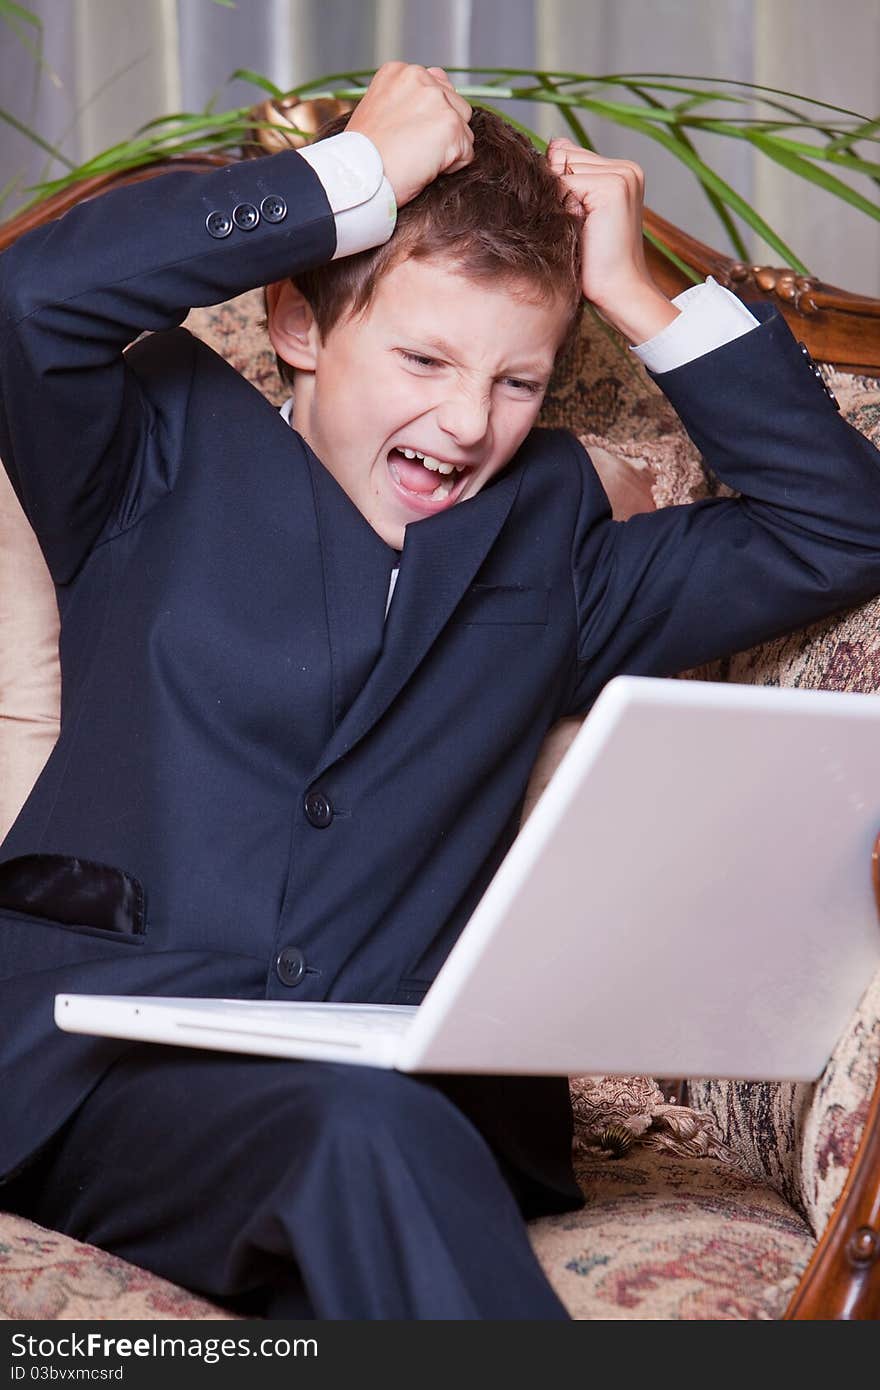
[{"x": 667, "y": 1238}]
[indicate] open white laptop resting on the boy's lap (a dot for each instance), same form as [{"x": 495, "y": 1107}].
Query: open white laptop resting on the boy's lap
[{"x": 690, "y": 897}]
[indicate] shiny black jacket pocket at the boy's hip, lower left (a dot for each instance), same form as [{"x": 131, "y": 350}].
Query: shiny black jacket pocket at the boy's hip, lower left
[{"x": 74, "y": 893}]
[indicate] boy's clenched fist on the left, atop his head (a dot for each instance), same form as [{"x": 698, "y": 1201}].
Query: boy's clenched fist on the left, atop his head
[{"x": 418, "y": 123}]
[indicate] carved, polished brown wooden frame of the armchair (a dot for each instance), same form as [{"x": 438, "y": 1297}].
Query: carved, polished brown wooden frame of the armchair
[{"x": 843, "y": 1278}]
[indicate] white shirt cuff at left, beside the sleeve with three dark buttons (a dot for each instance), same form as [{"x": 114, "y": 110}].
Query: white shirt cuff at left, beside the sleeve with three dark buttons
[{"x": 362, "y": 199}]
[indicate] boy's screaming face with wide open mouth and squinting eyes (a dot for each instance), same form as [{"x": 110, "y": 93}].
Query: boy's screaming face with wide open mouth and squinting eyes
[{"x": 437, "y": 366}]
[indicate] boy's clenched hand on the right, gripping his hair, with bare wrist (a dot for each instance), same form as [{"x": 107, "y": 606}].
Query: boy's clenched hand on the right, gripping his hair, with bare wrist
[{"x": 608, "y": 197}]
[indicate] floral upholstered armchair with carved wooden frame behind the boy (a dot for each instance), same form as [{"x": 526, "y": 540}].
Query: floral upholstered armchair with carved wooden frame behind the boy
[{"x": 706, "y": 1200}]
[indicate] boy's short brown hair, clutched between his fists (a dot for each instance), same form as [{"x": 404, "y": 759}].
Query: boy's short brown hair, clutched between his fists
[{"x": 501, "y": 219}]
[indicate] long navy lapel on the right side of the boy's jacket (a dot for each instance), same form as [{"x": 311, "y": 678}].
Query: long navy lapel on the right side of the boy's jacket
[{"x": 441, "y": 557}]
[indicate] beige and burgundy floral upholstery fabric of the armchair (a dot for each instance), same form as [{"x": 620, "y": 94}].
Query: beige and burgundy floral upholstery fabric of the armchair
[{"x": 693, "y": 1213}]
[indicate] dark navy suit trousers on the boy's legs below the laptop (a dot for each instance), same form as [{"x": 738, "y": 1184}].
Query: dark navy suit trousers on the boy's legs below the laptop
[{"x": 312, "y": 1189}]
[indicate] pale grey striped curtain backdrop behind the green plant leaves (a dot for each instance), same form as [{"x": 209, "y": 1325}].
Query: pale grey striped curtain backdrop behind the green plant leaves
[{"x": 113, "y": 65}]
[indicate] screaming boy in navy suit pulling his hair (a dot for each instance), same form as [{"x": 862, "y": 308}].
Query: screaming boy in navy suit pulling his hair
[{"x": 276, "y": 776}]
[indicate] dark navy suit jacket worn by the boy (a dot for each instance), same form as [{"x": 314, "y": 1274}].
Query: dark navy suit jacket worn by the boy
[{"x": 311, "y": 800}]
